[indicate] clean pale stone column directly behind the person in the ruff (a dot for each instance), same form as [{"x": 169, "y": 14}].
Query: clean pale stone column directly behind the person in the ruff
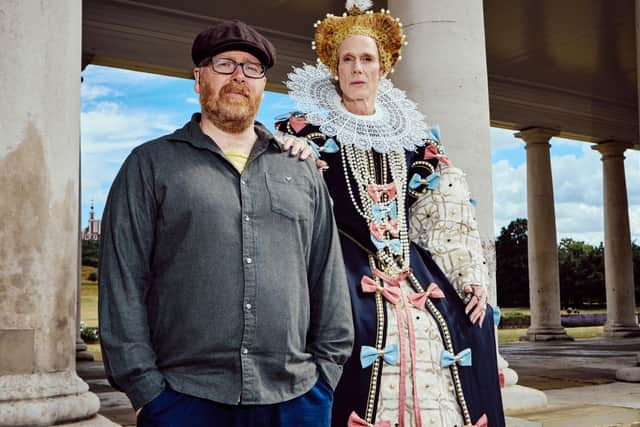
[{"x": 452, "y": 91}]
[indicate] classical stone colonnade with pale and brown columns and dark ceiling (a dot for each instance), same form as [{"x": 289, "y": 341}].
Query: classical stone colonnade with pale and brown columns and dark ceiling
[{"x": 542, "y": 68}]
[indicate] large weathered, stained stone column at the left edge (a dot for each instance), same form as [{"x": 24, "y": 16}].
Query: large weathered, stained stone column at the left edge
[{"x": 40, "y": 87}]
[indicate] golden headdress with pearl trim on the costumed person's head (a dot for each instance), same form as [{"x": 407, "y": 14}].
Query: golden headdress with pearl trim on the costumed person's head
[{"x": 357, "y": 20}]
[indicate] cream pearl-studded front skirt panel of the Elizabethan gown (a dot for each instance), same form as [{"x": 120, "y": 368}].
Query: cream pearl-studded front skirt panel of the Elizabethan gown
[{"x": 438, "y": 405}]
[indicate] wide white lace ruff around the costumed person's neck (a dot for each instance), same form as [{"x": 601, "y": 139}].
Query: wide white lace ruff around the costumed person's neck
[{"x": 397, "y": 125}]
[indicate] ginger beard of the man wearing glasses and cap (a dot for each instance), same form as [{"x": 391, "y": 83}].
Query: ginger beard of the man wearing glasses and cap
[{"x": 227, "y": 111}]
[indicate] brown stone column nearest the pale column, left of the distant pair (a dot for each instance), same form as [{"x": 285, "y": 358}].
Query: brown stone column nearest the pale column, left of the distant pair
[{"x": 544, "y": 278}]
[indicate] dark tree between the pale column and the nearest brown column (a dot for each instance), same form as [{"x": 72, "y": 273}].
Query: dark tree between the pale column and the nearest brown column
[{"x": 512, "y": 269}]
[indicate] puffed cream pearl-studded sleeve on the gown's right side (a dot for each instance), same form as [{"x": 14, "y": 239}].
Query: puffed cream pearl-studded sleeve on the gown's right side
[{"x": 443, "y": 221}]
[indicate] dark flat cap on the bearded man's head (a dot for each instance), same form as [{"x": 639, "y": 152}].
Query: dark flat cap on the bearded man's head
[{"x": 232, "y": 35}]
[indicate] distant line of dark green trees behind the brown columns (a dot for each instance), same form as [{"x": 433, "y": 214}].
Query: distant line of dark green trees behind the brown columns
[{"x": 581, "y": 268}]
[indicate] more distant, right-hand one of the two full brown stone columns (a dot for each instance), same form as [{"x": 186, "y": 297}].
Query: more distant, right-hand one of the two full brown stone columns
[{"x": 618, "y": 258}]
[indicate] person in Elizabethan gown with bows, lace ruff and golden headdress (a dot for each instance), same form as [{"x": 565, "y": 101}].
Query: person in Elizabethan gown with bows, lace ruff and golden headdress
[{"x": 425, "y": 352}]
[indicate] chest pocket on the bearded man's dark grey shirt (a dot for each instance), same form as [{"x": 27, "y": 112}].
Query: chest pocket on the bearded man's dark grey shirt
[{"x": 290, "y": 195}]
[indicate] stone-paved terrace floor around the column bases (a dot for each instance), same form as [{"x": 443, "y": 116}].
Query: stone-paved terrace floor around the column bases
[{"x": 578, "y": 378}]
